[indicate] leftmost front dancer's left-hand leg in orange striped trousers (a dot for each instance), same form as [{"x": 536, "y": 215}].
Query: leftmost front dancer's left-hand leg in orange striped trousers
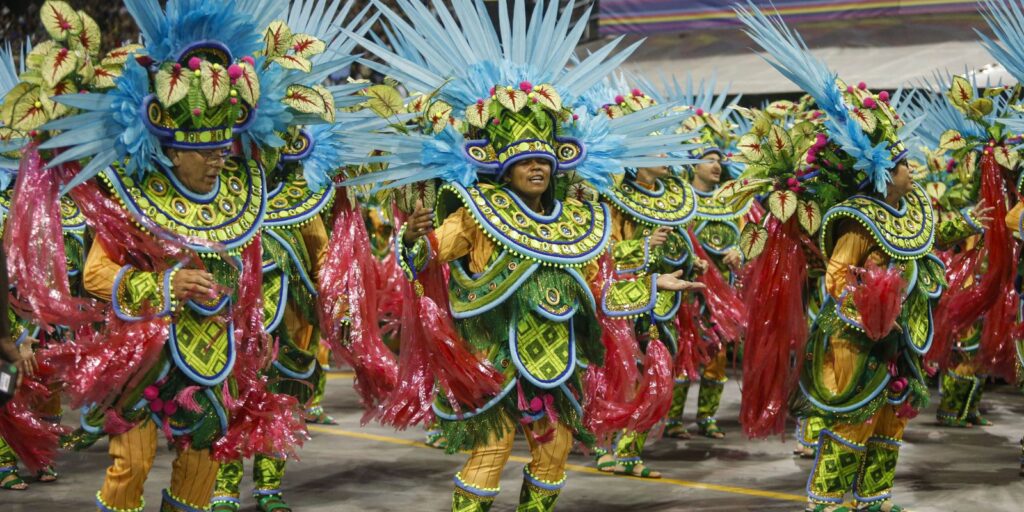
[{"x": 133, "y": 453}]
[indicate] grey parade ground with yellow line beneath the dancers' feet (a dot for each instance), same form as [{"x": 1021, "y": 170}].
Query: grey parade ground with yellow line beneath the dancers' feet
[{"x": 353, "y": 468}]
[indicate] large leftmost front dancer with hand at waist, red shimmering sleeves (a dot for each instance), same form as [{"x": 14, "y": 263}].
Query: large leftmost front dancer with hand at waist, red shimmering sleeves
[{"x": 178, "y": 251}]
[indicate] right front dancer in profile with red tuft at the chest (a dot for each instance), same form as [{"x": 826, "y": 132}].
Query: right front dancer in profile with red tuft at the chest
[{"x": 862, "y": 366}]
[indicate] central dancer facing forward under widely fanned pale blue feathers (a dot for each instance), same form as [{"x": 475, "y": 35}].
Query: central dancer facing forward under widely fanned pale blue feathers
[{"x": 514, "y": 250}]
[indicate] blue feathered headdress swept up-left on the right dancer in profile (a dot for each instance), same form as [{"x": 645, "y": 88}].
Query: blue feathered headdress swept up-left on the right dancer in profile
[{"x": 862, "y": 130}]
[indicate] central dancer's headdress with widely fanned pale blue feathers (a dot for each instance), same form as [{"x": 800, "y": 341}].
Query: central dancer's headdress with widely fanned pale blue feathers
[{"x": 506, "y": 95}]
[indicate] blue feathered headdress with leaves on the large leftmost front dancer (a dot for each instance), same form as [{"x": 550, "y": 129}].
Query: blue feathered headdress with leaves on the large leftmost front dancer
[{"x": 194, "y": 89}]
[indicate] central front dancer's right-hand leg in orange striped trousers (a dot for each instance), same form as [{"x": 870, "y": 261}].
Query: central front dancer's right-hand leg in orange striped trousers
[{"x": 544, "y": 478}]
